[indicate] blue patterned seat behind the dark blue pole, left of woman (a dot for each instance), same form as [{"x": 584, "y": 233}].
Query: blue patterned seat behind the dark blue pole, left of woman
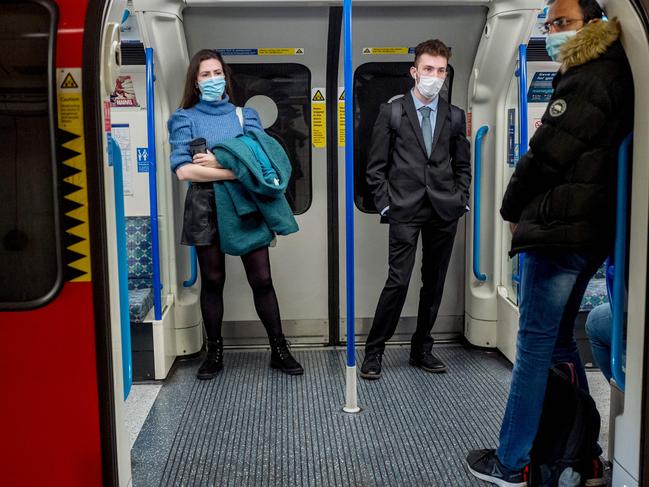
[{"x": 140, "y": 270}]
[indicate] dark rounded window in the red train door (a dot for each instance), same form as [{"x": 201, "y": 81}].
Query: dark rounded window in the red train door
[{"x": 30, "y": 257}]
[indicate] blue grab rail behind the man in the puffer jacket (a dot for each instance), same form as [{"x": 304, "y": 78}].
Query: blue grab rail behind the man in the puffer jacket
[{"x": 617, "y": 305}]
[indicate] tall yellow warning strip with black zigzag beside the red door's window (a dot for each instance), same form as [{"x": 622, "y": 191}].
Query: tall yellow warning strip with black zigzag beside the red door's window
[{"x": 70, "y": 140}]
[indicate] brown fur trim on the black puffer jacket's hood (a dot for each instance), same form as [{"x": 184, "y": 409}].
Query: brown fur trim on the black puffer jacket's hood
[{"x": 591, "y": 42}]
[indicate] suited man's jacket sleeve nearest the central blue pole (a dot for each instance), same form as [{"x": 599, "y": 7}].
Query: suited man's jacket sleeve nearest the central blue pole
[{"x": 378, "y": 158}]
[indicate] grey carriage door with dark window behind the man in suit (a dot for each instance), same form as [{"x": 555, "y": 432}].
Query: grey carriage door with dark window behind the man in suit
[{"x": 384, "y": 39}]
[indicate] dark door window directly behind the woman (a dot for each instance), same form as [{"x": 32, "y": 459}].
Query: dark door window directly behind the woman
[{"x": 280, "y": 93}]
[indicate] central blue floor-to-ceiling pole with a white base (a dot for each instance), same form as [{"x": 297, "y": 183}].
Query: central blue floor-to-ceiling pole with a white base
[{"x": 351, "y": 403}]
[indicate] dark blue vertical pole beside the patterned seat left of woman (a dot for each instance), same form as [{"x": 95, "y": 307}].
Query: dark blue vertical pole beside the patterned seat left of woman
[{"x": 153, "y": 185}]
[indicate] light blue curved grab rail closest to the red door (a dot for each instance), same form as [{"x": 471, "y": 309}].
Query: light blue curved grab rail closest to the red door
[{"x": 115, "y": 154}]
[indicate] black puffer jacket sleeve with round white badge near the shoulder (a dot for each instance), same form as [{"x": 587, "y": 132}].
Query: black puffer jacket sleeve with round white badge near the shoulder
[{"x": 575, "y": 117}]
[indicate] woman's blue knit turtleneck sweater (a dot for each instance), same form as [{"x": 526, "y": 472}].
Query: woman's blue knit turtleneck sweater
[{"x": 215, "y": 121}]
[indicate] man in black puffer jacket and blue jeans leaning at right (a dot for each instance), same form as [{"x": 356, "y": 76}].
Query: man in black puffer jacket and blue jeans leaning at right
[{"x": 560, "y": 203}]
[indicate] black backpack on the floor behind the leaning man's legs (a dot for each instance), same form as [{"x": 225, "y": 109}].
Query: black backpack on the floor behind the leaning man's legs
[{"x": 567, "y": 435}]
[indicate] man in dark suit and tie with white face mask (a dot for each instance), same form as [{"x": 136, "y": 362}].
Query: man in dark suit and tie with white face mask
[{"x": 419, "y": 171}]
